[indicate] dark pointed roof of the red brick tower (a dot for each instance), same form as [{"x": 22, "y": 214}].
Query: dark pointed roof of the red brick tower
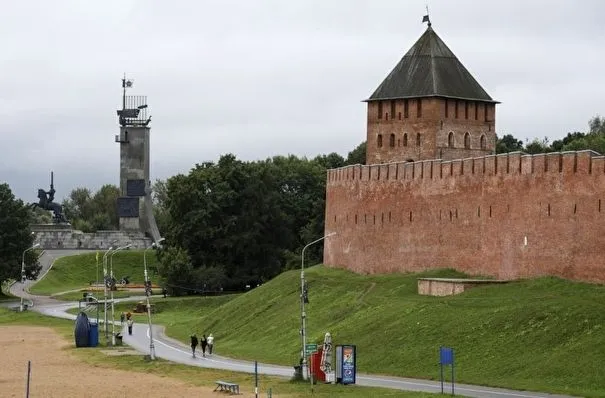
[{"x": 430, "y": 69}]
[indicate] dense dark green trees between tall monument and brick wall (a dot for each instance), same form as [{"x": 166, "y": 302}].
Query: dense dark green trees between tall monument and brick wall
[{"x": 233, "y": 223}]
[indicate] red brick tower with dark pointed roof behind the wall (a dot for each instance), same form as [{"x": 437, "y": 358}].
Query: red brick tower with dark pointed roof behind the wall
[{"x": 429, "y": 107}]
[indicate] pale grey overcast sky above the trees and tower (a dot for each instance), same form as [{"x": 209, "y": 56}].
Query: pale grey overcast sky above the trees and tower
[{"x": 259, "y": 78}]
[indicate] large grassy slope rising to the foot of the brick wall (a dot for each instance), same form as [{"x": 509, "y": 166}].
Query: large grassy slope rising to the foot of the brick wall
[{"x": 544, "y": 334}]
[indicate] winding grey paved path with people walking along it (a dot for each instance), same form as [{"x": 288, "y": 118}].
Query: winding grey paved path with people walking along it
[{"x": 172, "y": 350}]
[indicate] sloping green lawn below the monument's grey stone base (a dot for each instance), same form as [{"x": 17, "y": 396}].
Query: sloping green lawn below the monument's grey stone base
[{"x": 75, "y": 272}]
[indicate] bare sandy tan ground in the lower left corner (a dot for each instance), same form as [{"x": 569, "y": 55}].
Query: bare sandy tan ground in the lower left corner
[{"x": 56, "y": 373}]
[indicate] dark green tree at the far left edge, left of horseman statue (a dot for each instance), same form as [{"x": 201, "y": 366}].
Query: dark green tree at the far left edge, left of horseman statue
[{"x": 15, "y": 237}]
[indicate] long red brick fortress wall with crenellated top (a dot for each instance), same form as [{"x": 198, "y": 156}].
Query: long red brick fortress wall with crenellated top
[{"x": 509, "y": 216}]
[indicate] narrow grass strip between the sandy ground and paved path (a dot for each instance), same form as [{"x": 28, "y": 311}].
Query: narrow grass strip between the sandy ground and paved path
[{"x": 194, "y": 375}]
